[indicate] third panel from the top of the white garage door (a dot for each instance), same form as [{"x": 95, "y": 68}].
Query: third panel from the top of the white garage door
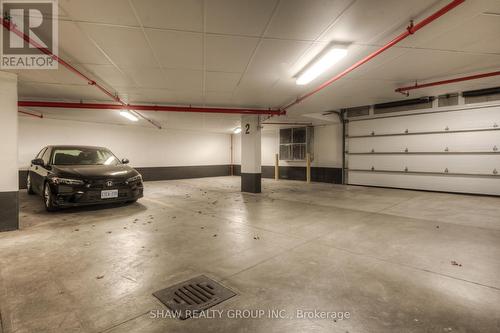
[{"x": 479, "y": 164}]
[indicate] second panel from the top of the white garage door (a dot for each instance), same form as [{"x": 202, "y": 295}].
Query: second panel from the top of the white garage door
[{"x": 458, "y": 142}]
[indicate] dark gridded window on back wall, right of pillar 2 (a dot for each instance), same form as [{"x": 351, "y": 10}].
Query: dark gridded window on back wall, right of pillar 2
[{"x": 296, "y": 143}]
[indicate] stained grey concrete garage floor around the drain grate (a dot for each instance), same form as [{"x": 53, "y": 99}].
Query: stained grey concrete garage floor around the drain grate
[{"x": 385, "y": 256}]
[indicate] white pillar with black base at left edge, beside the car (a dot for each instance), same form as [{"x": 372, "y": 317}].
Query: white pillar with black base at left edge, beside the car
[{"x": 9, "y": 175}]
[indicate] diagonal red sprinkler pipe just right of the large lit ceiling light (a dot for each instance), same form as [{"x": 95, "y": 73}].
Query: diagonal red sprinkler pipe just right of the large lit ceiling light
[{"x": 410, "y": 30}]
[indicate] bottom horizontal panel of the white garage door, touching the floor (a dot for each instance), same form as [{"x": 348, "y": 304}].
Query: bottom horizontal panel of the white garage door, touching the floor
[{"x": 429, "y": 183}]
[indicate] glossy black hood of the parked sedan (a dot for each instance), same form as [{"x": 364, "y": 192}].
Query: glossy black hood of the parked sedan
[{"x": 94, "y": 171}]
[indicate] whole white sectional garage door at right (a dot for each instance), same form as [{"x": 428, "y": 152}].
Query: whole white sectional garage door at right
[{"x": 454, "y": 151}]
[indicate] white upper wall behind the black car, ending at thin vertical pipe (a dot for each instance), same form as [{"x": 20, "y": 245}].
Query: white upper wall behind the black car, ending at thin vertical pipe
[{"x": 144, "y": 147}]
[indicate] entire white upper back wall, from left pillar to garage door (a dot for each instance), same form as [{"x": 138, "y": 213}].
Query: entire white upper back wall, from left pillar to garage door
[{"x": 150, "y": 147}]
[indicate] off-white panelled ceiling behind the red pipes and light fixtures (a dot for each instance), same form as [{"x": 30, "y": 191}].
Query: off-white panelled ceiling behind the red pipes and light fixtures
[{"x": 245, "y": 53}]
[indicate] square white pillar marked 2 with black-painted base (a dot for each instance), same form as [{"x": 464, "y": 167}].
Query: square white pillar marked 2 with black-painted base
[{"x": 250, "y": 154}]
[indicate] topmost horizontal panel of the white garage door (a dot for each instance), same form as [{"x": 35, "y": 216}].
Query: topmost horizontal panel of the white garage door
[{"x": 465, "y": 119}]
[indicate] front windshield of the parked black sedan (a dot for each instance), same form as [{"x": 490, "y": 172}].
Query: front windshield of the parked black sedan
[{"x": 83, "y": 156}]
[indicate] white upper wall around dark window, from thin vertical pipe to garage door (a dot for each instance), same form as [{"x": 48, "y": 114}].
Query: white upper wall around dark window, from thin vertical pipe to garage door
[{"x": 327, "y": 147}]
